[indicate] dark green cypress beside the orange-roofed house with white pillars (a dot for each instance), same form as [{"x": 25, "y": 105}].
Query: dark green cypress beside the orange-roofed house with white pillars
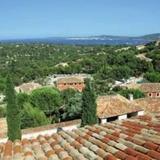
[{"x": 89, "y": 107}]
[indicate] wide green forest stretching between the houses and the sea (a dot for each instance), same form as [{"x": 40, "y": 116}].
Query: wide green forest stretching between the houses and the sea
[{"x": 106, "y": 63}]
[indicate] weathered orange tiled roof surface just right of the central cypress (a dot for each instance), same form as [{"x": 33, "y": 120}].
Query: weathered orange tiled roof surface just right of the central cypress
[{"x": 113, "y": 105}]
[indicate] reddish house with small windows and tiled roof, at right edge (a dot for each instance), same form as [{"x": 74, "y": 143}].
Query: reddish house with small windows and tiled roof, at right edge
[{"x": 151, "y": 89}]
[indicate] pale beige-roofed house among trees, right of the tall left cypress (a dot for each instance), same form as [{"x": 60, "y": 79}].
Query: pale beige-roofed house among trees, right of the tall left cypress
[{"x": 27, "y": 87}]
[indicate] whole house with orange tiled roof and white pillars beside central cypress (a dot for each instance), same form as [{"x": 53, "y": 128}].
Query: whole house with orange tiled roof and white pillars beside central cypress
[{"x": 113, "y": 107}]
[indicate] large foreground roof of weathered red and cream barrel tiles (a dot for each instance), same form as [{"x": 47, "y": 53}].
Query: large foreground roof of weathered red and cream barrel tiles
[{"x": 131, "y": 139}]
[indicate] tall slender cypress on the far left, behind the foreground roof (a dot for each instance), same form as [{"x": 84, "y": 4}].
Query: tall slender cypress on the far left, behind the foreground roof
[{"x": 13, "y": 112}]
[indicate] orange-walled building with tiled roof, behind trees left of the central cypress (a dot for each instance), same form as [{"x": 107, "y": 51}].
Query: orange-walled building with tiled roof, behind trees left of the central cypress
[{"x": 76, "y": 83}]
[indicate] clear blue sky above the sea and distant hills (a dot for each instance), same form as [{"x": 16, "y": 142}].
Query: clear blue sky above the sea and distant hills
[{"x": 50, "y": 18}]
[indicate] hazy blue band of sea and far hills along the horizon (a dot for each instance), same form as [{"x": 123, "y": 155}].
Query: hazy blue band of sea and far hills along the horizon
[{"x": 91, "y": 40}]
